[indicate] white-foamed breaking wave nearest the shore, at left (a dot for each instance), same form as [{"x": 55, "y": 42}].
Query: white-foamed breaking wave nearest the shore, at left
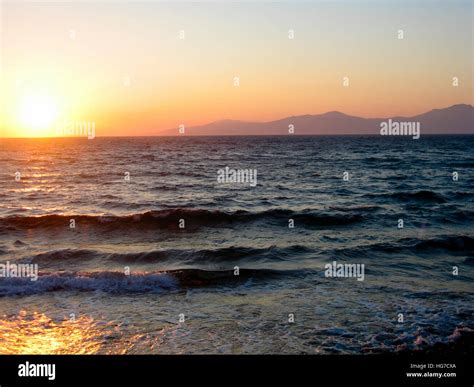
[{"x": 119, "y": 283}]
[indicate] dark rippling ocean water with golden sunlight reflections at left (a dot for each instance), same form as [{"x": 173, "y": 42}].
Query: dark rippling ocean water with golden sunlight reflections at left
[{"x": 124, "y": 279}]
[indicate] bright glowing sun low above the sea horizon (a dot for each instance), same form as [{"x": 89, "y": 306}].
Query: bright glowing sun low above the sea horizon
[{"x": 38, "y": 112}]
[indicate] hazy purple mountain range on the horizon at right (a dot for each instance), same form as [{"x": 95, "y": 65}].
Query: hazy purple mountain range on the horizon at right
[{"x": 454, "y": 119}]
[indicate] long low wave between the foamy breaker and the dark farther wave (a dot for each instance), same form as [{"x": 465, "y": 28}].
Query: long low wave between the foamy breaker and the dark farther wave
[{"x": 459, "y": 244}]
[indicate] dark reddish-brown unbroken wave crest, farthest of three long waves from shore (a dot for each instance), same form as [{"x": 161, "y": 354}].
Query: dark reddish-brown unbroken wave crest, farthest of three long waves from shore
[{"x": 169, "y": 218}]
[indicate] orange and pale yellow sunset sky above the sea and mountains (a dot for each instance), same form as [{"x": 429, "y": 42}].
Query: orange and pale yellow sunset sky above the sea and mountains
[{"x": 123, "y": 65}]
